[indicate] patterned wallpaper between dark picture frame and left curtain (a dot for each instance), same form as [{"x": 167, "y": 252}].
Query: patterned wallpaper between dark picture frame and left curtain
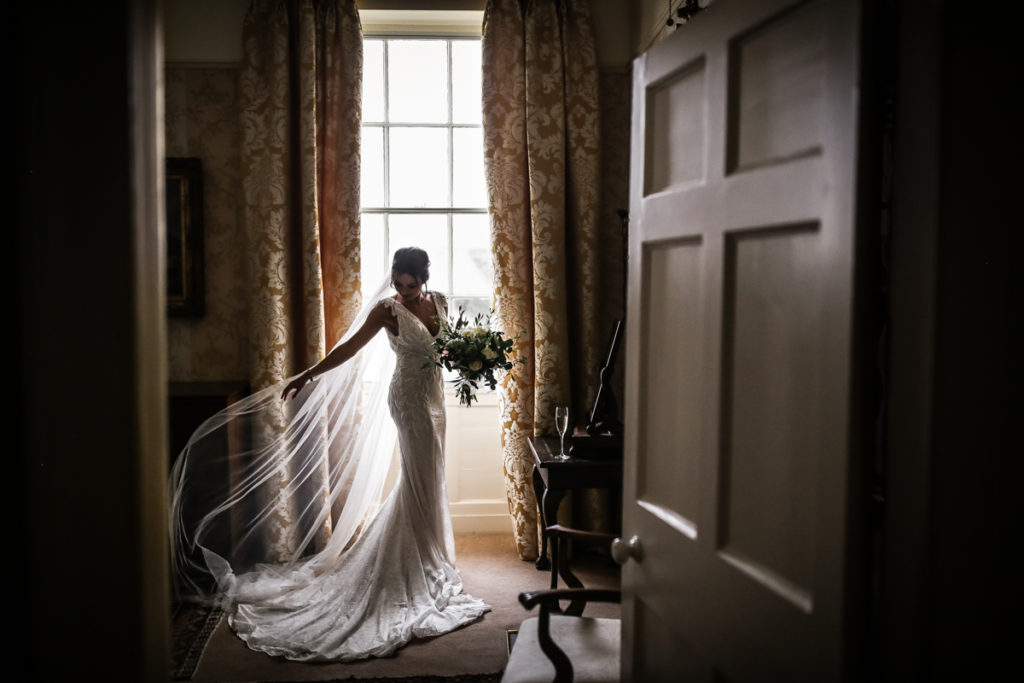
[{"x": 202, "y": 120}]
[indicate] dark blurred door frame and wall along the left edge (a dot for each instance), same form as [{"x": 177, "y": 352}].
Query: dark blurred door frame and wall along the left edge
[{"x": 90, "y": 377}]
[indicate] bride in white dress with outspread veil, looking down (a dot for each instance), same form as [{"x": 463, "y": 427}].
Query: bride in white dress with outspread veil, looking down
[{"x": 275, "y": 514}]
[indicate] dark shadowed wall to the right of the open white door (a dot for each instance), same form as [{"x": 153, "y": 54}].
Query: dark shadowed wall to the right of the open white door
[{"x": 953, "y": 513}]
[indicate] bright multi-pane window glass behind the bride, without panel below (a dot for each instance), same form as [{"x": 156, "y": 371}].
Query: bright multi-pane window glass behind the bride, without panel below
[{"x": 422, "y": 163}]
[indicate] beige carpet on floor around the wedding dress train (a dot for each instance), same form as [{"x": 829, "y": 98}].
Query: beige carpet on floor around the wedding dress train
[{"x": 490, "y": 570}]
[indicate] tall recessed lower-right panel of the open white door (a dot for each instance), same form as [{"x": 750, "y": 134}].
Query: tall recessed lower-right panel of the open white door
[{"x": 772, "y": 386}]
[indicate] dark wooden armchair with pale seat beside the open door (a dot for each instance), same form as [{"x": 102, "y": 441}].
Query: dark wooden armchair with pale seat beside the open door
[{"x": 565, "y": 647}]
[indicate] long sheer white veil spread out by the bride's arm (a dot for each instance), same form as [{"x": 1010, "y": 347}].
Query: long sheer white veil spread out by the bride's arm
[{"x": 280, "y": 489}]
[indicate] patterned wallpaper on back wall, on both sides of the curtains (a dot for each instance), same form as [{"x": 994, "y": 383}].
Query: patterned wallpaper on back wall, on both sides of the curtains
[{"x": 202, "y": 120}]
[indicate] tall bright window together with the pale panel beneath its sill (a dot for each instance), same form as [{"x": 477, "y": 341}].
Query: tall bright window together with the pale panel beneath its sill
[{"x": 423, "y": 185}]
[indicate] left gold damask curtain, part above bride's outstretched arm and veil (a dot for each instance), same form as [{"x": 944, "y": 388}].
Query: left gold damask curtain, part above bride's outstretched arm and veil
[{"x": 301, "y": 92}]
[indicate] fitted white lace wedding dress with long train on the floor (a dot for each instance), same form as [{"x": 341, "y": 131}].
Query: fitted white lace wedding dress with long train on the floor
[{"x": 394, "y": 581}]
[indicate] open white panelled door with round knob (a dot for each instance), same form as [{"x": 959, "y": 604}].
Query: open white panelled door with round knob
[{"x": 740, "y": 395}]
